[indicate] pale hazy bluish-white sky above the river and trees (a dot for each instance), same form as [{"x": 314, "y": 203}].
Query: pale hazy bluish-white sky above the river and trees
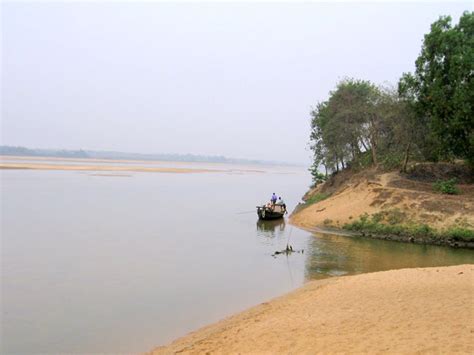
[{"x": 216, "y": 79}]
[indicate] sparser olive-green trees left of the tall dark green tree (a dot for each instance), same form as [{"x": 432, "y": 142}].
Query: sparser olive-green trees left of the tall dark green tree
[{"x": 362, "y": 125}]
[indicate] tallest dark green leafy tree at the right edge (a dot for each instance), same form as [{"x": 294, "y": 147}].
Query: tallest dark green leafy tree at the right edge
[{"x": 442, "y": 87}]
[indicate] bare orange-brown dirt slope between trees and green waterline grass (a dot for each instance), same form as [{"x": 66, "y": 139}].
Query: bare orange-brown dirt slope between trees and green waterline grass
[{"x": 391, "y": 194}]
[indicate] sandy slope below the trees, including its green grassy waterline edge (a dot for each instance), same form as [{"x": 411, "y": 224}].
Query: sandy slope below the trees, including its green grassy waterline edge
[{"x": 388, "y": 206}]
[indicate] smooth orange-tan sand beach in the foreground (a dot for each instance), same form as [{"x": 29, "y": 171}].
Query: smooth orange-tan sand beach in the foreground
[{"x": 427, "y": 310}]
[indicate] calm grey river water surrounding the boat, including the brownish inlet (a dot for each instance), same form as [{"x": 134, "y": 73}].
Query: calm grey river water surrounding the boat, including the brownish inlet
[{"x": 123, "y": 264}]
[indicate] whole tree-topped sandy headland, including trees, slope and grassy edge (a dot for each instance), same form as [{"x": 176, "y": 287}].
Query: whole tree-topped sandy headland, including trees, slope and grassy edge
[{"x": 398, "y": 162}]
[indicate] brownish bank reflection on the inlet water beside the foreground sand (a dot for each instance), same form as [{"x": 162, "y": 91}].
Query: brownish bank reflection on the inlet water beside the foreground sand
[{"x": 330, "y": 255}]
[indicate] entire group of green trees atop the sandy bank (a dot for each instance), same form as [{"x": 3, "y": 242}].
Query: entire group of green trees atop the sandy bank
[{"x": 428, "y": 117}]
